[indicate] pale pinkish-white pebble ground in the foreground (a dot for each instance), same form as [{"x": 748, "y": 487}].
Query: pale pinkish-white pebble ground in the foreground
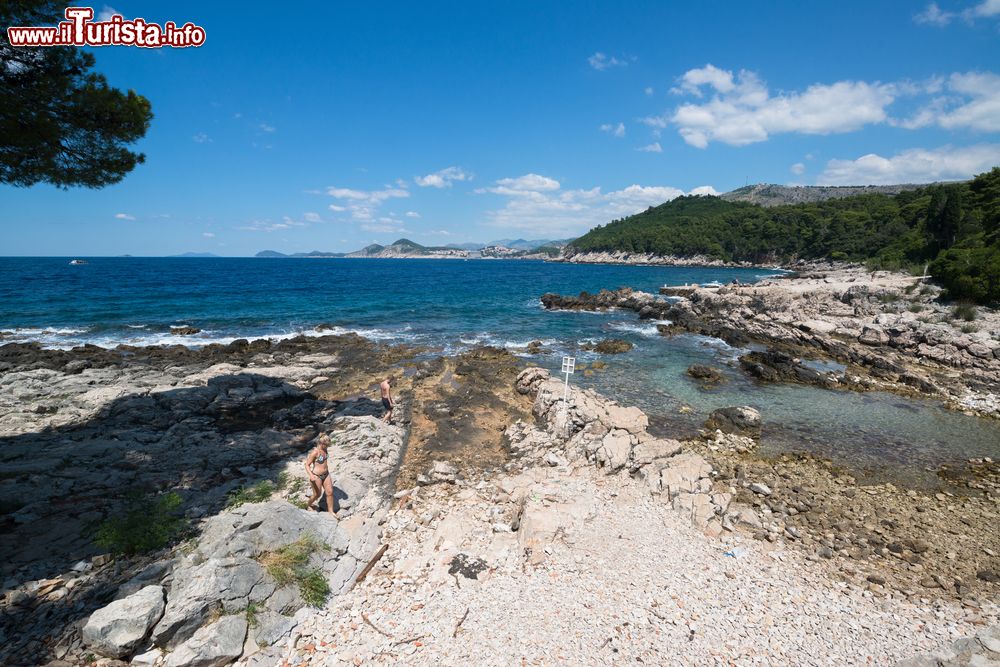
[{"x": 631, "y": 583}]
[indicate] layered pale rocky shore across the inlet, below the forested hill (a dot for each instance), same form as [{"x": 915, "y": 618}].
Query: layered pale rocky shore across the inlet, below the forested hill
[{"x": 890, "y": 332}]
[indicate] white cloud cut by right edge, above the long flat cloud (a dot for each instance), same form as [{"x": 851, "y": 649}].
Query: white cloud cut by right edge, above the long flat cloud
[{"x": 974, "y": 103}]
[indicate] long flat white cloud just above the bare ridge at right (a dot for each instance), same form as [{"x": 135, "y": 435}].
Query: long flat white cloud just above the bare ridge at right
[{"x": 917, "y": 165}]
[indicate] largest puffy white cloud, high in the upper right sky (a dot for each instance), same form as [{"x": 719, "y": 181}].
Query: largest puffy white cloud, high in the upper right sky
[{"x": 742, "y": 110}]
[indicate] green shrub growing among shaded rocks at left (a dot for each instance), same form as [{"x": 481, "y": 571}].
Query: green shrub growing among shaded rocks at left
[{"x": 148, "y": 523}]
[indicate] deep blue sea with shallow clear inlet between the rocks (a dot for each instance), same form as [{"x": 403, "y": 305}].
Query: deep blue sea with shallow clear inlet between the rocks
[{"x": 451, "y": 305}]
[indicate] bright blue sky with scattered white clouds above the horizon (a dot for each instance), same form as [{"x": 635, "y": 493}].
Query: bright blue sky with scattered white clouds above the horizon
[{"x": 334, "y": 124}]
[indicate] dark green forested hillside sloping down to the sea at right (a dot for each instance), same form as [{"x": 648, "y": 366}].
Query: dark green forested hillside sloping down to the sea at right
[{"x": 954, "y": 227}]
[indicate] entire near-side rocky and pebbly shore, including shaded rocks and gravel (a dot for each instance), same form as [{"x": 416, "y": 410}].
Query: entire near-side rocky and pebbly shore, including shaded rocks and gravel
[{"x": 485, "y": 476}]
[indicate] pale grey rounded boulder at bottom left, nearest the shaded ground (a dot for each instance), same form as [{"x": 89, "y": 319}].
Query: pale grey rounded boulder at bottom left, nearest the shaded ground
[{"x": 121, "y": 627}]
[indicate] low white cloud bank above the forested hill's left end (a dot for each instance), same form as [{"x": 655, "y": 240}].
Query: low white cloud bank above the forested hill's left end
[{"x": 539, "y": 205}]
